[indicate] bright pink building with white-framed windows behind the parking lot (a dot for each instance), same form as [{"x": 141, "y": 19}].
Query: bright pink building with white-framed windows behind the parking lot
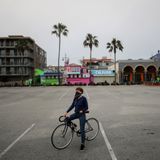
[{"x": 76, "y": 74}]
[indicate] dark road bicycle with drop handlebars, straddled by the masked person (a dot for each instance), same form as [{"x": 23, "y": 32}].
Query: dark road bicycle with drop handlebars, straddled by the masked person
[{"x": 63, "y": 134}]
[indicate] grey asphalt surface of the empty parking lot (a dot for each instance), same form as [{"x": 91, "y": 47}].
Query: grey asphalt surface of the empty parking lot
[{"x": 129, "y": 115}]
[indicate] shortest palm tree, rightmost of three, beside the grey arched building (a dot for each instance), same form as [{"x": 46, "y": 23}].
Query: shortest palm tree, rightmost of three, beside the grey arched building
[{"x": 113, "y": 46}]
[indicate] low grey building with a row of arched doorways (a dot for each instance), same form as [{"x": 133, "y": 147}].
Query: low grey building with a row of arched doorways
[{"x": 139, "y": 71}]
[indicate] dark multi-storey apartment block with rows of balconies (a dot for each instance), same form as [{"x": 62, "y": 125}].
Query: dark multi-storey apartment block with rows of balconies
[{"x": 17, "y": 66}]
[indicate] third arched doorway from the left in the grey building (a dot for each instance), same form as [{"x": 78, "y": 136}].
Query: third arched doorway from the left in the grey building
[{"x": 151, "y": 73}]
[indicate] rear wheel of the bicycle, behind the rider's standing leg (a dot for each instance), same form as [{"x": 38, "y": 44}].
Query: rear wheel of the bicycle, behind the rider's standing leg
[{"x": 91, "y": 129}]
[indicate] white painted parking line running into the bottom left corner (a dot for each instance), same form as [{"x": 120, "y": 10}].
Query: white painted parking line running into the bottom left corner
[{"x": 14, "y": 142}]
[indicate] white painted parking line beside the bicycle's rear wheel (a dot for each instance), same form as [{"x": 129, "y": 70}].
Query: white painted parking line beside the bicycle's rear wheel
[{"x": 111, "y": 152}]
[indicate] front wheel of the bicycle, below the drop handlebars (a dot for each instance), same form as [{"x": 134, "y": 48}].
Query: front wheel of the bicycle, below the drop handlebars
[{"x": 61, "y": 136}]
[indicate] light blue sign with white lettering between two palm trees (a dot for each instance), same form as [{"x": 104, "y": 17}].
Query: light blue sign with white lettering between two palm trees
[{"x": 103, "y": 72}]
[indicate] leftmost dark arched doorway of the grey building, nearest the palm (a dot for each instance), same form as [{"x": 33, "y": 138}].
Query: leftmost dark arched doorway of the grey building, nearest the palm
[{"x": 128, "y": 74}]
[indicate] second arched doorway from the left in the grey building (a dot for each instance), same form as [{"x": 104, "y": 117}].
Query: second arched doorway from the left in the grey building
[{"x": 139, "y": 74}]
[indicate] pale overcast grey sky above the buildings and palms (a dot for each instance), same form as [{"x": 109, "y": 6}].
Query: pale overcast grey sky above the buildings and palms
[{"x": 135, "y": 22}]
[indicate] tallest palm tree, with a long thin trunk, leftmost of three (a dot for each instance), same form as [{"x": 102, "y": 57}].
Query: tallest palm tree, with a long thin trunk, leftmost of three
[{"x": 59, "y": 30}]
